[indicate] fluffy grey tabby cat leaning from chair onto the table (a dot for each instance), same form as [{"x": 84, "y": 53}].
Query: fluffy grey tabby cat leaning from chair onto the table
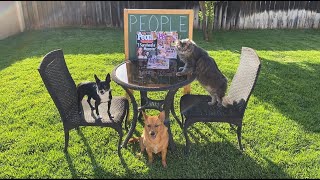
[{"x": 197, "y": 61}]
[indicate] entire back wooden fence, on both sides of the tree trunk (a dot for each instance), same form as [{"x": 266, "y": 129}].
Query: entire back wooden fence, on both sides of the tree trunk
[{"x": 228, "y": 14}]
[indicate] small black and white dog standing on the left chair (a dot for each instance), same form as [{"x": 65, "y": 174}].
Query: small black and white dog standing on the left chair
[{"x": 100, "y": 91}]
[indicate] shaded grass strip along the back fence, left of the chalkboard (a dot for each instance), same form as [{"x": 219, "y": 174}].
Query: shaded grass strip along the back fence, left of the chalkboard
[{"x": 71, "y": 41}]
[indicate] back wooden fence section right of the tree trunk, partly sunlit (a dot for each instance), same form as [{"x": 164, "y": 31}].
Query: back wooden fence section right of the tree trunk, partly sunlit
[{"x": 266, "y": 14}]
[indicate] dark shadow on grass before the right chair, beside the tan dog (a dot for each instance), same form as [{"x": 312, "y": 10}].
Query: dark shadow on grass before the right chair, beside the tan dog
[{"x": 213, "y": 161}]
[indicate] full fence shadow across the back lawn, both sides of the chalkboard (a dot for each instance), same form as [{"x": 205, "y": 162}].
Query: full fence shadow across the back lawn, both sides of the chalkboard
[{"x": 110, "y": 40}]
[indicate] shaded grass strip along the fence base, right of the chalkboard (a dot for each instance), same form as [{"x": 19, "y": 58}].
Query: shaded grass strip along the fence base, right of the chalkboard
[{"x": 261, "y": 40}]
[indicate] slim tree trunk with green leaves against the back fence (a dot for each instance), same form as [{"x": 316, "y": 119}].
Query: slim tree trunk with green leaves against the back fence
[{"x": 207, "y": 17}]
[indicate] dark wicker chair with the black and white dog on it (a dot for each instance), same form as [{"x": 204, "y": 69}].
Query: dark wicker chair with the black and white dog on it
[{"x": 62, "y": 89}]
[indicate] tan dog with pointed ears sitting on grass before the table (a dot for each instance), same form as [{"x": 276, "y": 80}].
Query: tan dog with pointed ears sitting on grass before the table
[{"x": 155, "y": 137}]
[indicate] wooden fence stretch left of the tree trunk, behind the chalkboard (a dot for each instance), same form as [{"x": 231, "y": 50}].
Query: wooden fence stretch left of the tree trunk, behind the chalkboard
[{"x": 48, "y": 14}]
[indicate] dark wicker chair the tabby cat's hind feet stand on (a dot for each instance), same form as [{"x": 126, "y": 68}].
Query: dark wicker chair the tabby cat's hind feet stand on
[{"x": 195, "y": 108}]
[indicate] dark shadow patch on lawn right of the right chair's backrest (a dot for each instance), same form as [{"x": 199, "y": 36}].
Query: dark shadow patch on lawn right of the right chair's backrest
[{"x": 293, "y": 89}]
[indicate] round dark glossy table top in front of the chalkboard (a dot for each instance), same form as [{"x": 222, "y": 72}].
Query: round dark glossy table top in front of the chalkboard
[{"x": 129, "y": 75}]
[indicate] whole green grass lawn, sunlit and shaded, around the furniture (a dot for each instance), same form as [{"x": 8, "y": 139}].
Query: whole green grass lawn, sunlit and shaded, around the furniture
[{"x": 281, "y": 128}]
